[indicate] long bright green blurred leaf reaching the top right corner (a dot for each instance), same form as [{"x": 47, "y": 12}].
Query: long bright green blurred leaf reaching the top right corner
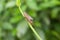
[{"x": 48, "y": 4}]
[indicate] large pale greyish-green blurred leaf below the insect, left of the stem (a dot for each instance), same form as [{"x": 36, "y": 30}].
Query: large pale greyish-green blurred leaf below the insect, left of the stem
[{"x": 22, "y": 28}]
